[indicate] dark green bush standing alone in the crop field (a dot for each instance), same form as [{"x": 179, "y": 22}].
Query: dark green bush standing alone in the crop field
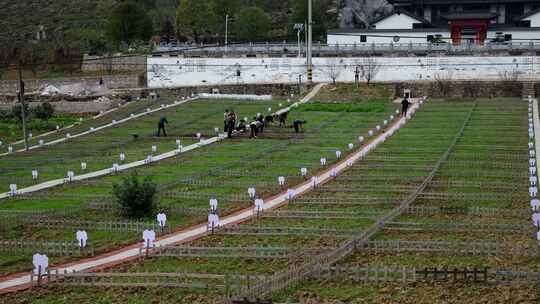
[{"x": 137, "y": 198}]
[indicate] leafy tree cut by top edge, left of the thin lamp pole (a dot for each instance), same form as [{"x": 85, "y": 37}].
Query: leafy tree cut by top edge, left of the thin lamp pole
[{"x": 195, "y": 19}]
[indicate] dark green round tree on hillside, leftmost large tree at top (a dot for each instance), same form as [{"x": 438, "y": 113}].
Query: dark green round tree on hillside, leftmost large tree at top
[{"x": 128, "y": 23}]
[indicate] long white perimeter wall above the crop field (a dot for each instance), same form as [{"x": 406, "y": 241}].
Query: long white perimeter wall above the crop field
[{"x": 180, "y": 72}]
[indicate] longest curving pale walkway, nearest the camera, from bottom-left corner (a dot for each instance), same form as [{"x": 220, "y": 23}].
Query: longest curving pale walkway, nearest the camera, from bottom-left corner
[{"x": 22, "y": 281}]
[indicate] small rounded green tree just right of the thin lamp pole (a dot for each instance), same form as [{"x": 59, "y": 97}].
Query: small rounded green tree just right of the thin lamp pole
[{"x": 252, "y": 24}]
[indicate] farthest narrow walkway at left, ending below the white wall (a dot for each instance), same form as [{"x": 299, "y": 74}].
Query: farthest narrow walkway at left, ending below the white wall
[{"x": 96, "y": 129}]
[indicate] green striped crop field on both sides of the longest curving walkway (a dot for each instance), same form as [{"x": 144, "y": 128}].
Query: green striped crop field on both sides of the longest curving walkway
[{"x": 478, "y": 194}]
